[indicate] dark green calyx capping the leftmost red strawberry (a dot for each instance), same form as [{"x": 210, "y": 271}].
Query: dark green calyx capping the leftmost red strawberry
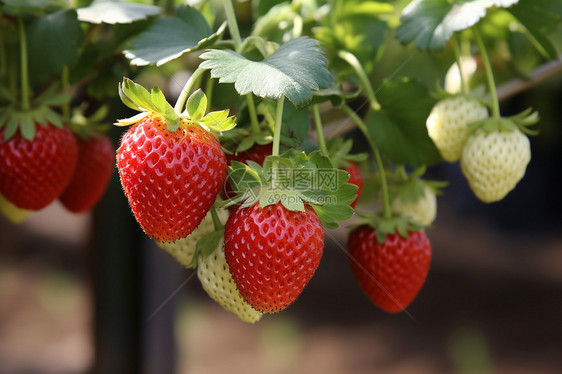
[{"x": 13, "y": 118}]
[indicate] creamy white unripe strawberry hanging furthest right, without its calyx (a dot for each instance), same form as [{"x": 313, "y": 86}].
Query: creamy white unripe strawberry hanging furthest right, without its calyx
[{"x": 494, "y": 162}]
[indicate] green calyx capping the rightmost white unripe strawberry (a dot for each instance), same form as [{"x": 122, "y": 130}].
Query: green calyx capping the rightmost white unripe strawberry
[{"x": 521, "y": 121}]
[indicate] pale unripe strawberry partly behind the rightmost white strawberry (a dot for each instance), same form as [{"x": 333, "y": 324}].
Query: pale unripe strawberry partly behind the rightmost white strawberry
[{"x": 447, "y": 124}]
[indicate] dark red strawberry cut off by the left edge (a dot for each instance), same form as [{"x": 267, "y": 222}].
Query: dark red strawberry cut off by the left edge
[{"x": 34, "y": 173}]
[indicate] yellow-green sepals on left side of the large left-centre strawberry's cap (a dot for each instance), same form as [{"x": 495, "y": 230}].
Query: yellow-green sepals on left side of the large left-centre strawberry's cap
[{"x": 138, "y": 98}]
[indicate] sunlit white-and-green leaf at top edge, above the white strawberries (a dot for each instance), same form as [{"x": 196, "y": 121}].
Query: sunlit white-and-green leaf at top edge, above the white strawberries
[{"x": 431, "y": 23}]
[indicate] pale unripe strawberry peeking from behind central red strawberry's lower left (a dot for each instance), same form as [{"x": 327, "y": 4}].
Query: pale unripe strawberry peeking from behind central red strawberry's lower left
[{"x": 215, "y": 277}]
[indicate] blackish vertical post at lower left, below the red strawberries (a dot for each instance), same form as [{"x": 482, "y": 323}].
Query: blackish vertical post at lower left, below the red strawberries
[{"x": 117, "y": 289}]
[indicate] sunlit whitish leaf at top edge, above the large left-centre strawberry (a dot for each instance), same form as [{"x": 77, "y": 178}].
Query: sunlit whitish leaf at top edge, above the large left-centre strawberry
[{"x": 116, "y": 12}]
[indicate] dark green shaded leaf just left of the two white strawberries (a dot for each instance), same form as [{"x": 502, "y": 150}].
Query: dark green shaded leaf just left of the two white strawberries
[{"x": 399, "y": 129}]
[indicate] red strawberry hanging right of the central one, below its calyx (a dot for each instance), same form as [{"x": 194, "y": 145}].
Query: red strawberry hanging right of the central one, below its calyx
[{"x": 391, "y": 273}]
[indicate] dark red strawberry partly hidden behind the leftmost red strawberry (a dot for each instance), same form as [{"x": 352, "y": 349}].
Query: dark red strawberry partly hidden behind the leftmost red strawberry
[{"x": 95, "y": 165}]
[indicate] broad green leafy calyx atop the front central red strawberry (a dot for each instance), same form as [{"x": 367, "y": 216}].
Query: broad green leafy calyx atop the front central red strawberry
[{"x": 295, "y": 179}]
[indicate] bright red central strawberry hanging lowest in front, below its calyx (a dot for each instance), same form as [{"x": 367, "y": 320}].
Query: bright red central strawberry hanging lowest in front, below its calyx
[{"x": 272, "y": 253}]
